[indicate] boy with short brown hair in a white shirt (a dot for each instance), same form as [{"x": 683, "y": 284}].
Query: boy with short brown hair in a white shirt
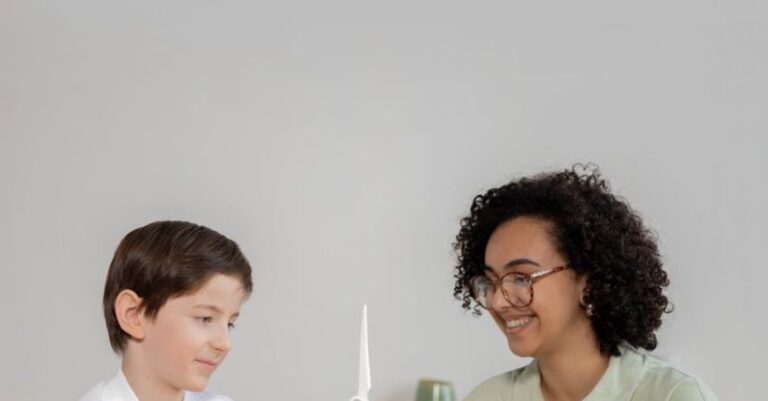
[{"x": 173, "y": 292}]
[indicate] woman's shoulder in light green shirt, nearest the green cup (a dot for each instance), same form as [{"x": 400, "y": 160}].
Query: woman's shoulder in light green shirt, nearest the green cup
[{"x": 514, "y": 382}]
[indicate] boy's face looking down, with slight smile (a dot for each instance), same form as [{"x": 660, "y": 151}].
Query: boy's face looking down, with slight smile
[{"x": 189, "y": 337}]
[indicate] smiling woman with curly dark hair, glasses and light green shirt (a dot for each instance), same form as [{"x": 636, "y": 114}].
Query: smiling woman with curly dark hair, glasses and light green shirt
[{"x": 574, "y": 280}]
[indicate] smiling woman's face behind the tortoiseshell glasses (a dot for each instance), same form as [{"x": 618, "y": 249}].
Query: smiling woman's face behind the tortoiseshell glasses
[{"x": 555, "y": 319}]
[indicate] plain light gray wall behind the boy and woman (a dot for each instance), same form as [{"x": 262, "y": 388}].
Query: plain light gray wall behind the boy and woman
[{"x": 340, "y": 142}]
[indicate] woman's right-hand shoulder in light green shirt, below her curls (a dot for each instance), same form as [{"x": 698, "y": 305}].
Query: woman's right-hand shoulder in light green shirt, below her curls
[{"x": 663, "y": 381}]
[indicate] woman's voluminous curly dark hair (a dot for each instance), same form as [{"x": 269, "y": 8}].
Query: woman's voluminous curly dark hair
[{"x": 597, "y": 233}]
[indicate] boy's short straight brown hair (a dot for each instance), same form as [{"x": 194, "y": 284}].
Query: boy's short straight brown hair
[{"x": 164, "y": 260}]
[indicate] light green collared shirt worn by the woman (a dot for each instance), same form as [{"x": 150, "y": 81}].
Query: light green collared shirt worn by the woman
[{"x": 630, "y": 377}]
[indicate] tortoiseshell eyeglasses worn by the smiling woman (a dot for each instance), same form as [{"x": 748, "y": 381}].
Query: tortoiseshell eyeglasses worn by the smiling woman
[{"x": 517, "y": 288}]
